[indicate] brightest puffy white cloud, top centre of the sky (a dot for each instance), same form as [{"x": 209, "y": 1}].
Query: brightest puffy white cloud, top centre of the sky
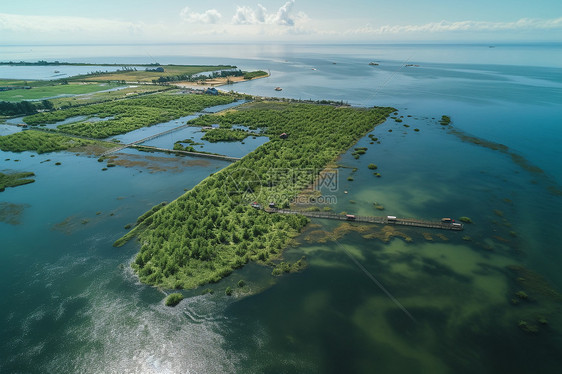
[{"x": 283, "y": 16}]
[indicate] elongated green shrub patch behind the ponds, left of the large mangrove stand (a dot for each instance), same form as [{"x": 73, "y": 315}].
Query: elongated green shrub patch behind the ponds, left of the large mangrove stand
[{"x": 128, "y": 115}]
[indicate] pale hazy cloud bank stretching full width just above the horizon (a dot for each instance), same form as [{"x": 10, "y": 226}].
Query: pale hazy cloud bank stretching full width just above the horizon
[{"x": 256, "y": 23}]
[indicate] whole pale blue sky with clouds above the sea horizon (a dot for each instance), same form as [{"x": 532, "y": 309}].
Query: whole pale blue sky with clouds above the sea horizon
[{"x": 37, "y": 22}]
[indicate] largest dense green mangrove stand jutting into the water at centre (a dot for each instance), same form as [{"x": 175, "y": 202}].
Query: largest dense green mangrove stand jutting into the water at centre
[{"x": 205, "y": 234}]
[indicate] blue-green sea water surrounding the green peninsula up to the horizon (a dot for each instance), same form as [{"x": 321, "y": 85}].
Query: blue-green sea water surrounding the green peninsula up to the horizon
[{"x": 70, "y": 303}]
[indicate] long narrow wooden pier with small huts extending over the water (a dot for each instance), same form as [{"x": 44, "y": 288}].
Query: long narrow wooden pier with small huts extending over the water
[{"x": 384, "y": 220}]
